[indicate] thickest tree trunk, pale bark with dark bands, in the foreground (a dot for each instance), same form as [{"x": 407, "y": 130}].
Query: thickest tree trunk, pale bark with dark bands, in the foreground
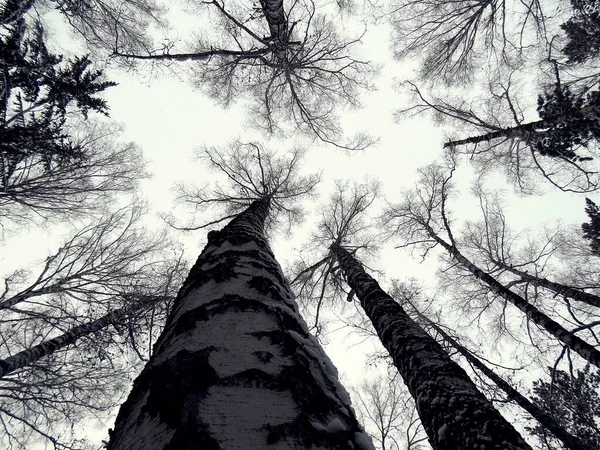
[{"x": 235, "y": 367}]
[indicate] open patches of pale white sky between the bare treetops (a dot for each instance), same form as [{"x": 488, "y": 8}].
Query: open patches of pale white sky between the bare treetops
[{"x": 169, "y": 120}]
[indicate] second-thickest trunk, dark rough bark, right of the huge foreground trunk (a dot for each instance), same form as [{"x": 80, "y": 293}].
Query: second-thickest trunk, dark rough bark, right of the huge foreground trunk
[{"x": 453, "y": 412}]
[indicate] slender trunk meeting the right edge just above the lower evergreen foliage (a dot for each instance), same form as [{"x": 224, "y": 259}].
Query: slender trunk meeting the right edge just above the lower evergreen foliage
[{"x": 578, "y": 345}]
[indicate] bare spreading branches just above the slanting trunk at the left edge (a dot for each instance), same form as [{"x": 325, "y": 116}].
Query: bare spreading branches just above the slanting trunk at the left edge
[{"x": 104, "y": 258}]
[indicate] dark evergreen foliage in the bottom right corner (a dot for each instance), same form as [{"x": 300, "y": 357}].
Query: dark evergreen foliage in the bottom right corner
[{"x": 573, "y": 401}]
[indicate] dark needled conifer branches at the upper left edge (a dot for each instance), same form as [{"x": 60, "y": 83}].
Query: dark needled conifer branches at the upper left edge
[{"x": 37, "y": 90}]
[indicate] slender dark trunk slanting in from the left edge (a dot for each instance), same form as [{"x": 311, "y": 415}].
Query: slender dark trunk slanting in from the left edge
[{"x": 48, "y": 347}]
